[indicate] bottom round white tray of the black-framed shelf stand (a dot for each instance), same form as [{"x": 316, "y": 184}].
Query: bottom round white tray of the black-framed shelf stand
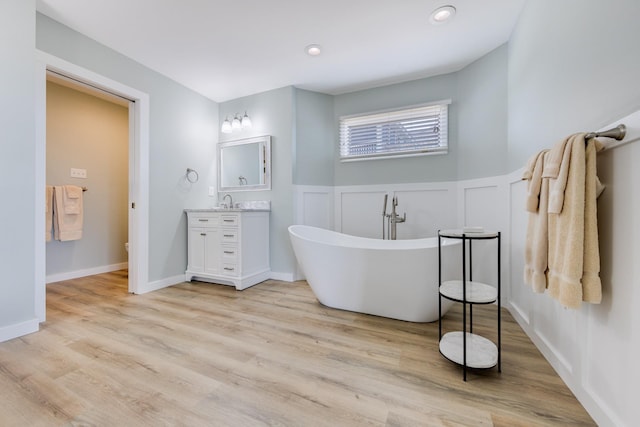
[{"x": 481, "y": 353}]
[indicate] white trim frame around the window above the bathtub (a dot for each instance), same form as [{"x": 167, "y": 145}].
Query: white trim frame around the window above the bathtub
[{"x": 424, "y": 151}]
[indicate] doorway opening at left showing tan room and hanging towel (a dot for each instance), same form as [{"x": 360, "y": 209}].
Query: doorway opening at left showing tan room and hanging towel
[{"x": 88, "y": 148}]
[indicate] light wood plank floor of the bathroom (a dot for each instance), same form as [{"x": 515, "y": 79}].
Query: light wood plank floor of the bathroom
[{"x": 204, "y": 354}]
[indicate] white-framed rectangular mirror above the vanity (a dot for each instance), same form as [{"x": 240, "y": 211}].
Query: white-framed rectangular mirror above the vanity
[{"x": 245, "y": 164}]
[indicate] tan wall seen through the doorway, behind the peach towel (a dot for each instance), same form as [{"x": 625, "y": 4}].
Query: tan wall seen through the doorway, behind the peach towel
[{"x": 86, "y": 132}]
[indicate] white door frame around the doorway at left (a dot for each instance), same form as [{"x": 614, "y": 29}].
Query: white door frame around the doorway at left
[{"x": 138, "y": 171}]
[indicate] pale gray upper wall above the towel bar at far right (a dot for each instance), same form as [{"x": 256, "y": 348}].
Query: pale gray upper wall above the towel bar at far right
[{"x": 575, "y": 69}]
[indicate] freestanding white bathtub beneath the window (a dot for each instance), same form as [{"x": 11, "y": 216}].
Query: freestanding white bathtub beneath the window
[{"x": 389, "y": 278}]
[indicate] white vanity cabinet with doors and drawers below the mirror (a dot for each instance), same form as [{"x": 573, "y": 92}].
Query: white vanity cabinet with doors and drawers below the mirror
[{"x": 230, "y": 247}]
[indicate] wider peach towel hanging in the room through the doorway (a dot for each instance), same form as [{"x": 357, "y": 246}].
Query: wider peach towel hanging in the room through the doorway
[{"x": 67, "y": 213}]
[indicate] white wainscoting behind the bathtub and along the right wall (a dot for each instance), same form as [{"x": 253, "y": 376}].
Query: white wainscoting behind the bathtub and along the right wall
[{"x": 592, "y": 348}]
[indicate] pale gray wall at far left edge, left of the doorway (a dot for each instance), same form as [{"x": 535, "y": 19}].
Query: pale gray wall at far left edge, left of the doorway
[{"x": 17, "y": 161}]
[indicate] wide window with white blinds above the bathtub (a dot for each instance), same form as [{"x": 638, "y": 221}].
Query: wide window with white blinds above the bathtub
[{"x": 412, "y": 131}]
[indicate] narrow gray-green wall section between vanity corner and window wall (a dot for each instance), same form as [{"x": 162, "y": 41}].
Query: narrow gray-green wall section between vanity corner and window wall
[{"x": 315, "y": 138}]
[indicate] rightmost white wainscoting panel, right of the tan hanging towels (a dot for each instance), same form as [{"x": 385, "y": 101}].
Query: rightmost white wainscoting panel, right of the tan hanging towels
[{"x": 611, "y": 372}]
